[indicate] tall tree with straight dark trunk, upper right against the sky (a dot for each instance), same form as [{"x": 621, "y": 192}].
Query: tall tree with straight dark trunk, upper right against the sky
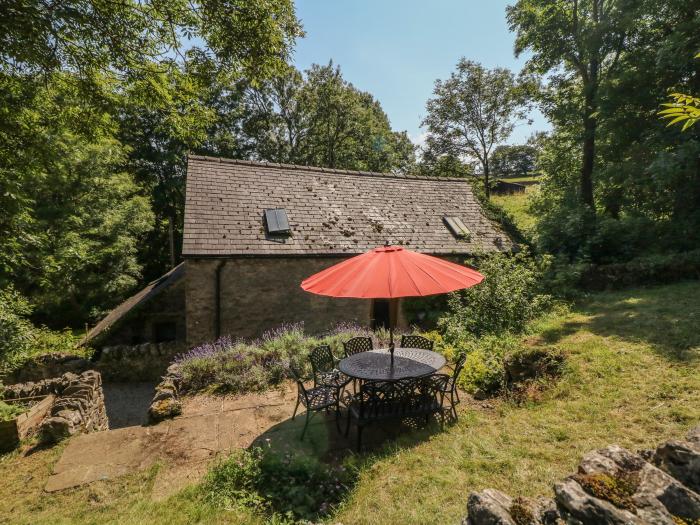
[{"x": 580, "y": 41}]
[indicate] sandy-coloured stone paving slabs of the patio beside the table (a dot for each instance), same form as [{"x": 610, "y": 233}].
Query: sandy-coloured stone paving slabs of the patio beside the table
[{"x": 209, "y": 426}]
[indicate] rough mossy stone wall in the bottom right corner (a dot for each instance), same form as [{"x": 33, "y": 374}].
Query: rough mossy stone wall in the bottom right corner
[{"x": 613, "y": 486}]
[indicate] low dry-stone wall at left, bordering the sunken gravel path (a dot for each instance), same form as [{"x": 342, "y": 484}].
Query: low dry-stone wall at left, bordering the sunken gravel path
[{"x": 78, "y": 407}]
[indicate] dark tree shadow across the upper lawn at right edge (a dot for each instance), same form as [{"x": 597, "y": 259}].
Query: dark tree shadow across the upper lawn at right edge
[{"x": 665, "y": 317}]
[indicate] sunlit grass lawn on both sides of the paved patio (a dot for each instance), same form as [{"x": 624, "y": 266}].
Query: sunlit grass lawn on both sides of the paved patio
[{"x": 632, "y": 378}]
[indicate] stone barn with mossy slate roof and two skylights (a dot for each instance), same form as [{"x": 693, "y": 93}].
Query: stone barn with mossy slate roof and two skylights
[{"x": 253, "y": 231}]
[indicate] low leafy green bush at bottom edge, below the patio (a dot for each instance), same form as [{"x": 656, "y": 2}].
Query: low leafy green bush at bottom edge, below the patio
[{"x": 286, "y": 487}]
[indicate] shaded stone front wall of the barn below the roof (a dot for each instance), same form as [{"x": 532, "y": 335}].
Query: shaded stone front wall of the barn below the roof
[{"x": 260, "y": 293}]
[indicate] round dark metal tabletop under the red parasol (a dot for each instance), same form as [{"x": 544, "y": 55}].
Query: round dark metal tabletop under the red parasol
[{"x": 375, "y": 365}]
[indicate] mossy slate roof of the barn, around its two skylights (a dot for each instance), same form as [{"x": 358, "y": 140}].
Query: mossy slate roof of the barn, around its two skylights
[{"x": 331, "y": 212}]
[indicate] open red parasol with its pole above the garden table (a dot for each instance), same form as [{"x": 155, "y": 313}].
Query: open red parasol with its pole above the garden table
[{"x": 391, "y": 272}]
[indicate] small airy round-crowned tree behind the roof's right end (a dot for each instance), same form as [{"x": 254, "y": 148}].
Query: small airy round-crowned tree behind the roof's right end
[{"x": 472, "y": 112}]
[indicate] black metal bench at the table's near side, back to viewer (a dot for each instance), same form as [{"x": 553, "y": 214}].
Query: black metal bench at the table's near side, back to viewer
[{"x": 406, "y": 398}]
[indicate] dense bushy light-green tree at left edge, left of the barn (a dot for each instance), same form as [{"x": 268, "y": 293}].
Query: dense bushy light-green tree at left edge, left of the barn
[{"x": 69, "y": 241}]
